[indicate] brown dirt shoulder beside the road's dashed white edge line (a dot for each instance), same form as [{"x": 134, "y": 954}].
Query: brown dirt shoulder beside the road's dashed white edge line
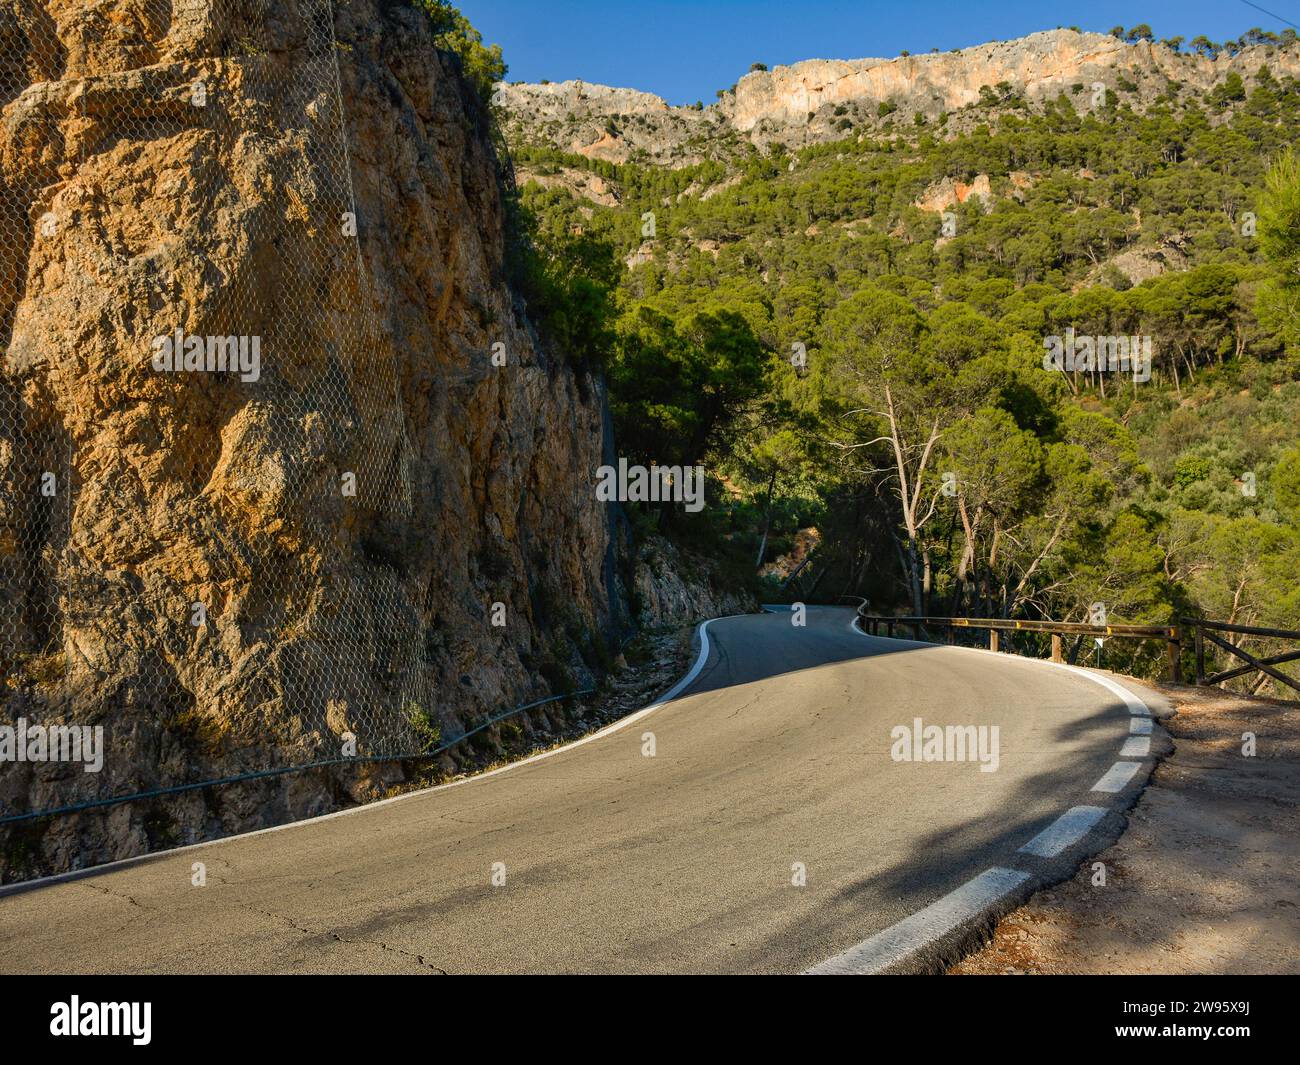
[{"x": 1207, "y": 877}]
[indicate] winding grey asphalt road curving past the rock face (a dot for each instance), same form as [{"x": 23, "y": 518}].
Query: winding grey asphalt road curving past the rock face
[{"x": 778, "y": 754}]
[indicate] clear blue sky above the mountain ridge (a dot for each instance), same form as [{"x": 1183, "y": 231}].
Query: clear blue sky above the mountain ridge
[{"x": 686, "y": 50}]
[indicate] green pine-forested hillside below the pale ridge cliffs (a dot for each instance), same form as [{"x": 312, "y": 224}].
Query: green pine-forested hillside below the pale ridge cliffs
[{"x": 843, "y": 354}]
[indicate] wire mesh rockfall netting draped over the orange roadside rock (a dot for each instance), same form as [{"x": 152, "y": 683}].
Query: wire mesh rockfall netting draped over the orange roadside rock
[{"x": 202, "y": 449}]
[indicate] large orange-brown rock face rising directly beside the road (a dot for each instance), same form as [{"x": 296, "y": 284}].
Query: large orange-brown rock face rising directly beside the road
[{"x": 293, "y": 535}]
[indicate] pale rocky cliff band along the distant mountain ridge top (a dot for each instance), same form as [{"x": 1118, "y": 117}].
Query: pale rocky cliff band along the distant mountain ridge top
[{"x": 811, "y": 102}]
